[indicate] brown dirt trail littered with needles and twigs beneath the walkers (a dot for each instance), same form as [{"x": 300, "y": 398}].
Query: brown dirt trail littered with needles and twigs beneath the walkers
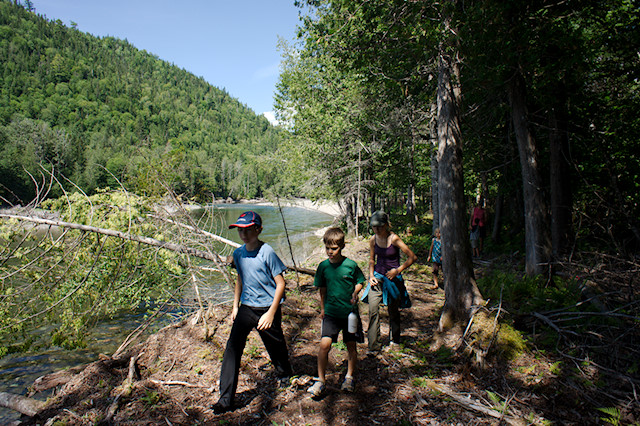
[{"x": 179, "y": 371}]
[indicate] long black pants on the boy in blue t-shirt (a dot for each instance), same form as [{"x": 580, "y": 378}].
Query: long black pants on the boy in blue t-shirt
[{"x": 274, "y": 342}]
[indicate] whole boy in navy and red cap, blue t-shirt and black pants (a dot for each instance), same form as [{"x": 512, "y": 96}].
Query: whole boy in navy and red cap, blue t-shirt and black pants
[{"x": 258, "y": 293}]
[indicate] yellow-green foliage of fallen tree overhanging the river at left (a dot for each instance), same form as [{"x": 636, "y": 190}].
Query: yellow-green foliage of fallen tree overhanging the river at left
[{"x": 68, "y": 281}]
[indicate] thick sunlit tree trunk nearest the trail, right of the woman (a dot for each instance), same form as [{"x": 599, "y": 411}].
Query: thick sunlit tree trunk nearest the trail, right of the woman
[{"x": 461, "y": 292}]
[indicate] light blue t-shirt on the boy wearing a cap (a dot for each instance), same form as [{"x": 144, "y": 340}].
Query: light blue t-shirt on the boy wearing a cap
[{"x": 257, "y": 270}]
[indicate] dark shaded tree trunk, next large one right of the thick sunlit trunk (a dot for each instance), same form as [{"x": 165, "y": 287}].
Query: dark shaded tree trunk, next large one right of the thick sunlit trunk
[{"x": 537, "y": 242}]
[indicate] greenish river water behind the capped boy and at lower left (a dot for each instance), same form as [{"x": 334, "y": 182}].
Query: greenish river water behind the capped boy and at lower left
[{"x": 304, "y": 227}]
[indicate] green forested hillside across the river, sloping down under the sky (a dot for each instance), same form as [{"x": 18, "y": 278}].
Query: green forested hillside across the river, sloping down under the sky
[{"x": 98, "y": 110}]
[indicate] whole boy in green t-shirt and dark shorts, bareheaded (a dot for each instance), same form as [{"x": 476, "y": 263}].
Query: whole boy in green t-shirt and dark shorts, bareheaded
[{"x": 339, "y": 281}]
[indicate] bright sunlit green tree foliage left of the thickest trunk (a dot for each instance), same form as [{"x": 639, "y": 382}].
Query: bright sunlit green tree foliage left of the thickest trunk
[{"x": 355, "y": 127}]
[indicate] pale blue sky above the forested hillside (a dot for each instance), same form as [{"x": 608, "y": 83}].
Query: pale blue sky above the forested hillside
[{"x": 231, "y": 44}]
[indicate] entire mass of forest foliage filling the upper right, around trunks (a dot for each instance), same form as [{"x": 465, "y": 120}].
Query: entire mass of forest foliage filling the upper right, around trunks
[{"x": 364, "y": 76}]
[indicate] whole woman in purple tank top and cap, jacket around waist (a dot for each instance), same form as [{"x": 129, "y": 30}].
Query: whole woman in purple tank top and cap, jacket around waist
[{"x": 386, "y": 285}]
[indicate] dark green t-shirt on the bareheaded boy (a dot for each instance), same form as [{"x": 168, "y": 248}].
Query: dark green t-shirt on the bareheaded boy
[{"x": 340, "y": 279}]
